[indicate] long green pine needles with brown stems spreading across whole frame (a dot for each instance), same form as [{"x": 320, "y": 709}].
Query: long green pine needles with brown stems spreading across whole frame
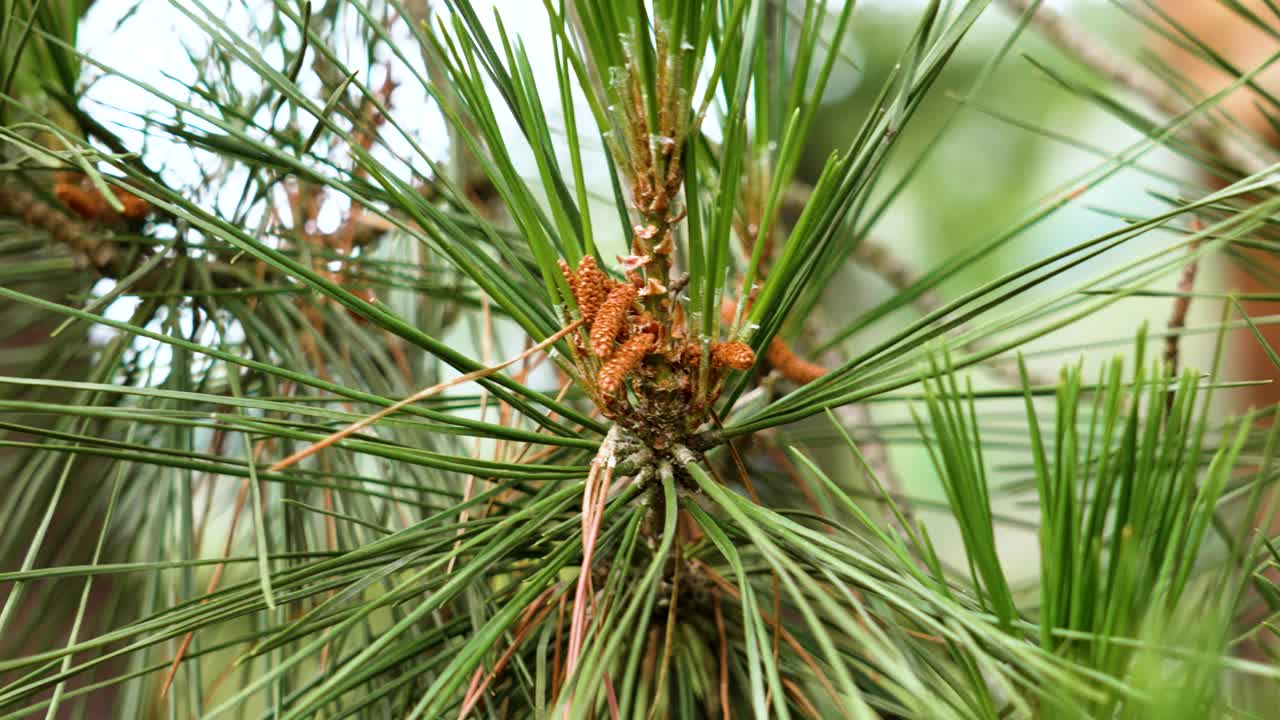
[{"x": 268, "y": 466}]
